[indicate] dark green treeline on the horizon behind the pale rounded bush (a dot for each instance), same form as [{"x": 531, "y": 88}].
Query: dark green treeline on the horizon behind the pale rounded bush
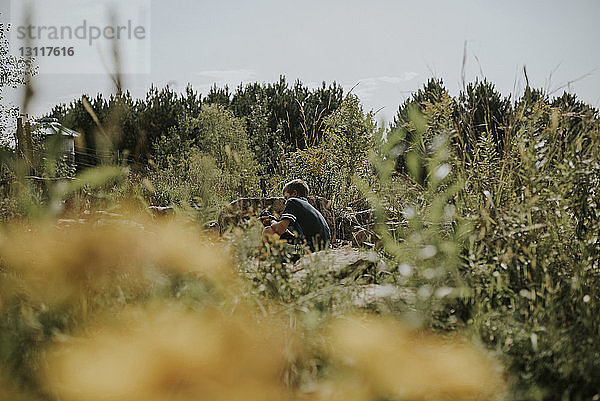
[{"x": 279, "y": 118}]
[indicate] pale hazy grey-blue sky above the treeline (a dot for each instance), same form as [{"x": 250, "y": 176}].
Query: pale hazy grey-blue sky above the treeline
[{"x": 384, "y": 49}]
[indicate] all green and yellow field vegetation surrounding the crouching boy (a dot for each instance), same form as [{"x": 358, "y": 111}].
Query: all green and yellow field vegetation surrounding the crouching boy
[{"x": 484, "y": 213}]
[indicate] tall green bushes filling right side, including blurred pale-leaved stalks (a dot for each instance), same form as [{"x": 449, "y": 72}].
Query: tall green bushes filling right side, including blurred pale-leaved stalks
[{"x": 525, "y": 227}]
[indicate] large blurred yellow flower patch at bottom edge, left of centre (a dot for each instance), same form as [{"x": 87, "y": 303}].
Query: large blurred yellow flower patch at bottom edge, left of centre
[{"x": 170, "y": 354}]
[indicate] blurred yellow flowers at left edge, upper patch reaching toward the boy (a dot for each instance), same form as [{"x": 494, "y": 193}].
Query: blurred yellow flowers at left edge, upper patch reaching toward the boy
[{"x": 59, "y": 262}]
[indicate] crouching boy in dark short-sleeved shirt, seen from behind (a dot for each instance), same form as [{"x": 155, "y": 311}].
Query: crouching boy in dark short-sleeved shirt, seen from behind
[{"x": 300, "y": 217}]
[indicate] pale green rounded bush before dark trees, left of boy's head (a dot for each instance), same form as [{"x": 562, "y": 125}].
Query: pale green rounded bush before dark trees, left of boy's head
[{"x": 204, "y": 163}]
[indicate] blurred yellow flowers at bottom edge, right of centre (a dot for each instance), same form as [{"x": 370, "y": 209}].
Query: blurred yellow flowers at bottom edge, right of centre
[{"x": 395, "y": 363}]
